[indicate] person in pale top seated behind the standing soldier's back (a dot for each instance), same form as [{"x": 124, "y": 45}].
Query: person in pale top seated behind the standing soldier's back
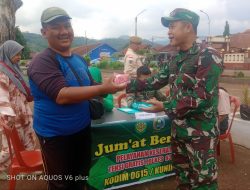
[{"x": 224, "y": 109}]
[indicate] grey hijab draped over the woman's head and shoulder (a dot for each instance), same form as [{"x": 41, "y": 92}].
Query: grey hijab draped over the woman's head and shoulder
[{"x": 8, "y": 50}]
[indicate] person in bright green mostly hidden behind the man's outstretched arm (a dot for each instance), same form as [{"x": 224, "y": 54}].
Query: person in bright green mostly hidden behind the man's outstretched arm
[{"x": 108, "y": 101}]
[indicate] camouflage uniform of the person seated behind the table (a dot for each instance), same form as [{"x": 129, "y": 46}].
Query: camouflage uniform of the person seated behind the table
[{"x": 144, "y": 95}]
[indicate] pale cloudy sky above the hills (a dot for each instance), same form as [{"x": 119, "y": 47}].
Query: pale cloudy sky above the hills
[{"x": 99, "y": 19}]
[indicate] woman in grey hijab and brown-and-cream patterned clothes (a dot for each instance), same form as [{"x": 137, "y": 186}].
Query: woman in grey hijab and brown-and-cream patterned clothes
[{"x": 14, "y": 97}]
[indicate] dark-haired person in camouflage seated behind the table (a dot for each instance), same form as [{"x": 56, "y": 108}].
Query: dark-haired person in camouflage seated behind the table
[{"x": 143, "y": 73}]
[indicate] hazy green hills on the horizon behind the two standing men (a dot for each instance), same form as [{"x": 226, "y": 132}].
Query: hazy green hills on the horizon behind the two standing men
[{"x": 37, "y": 43}]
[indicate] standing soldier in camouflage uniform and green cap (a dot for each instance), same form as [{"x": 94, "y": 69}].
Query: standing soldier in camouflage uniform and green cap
[{"x": 193, "y": 78}]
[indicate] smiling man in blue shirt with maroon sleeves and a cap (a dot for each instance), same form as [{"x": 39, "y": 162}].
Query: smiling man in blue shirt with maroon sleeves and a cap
[{"x": 61, "y": 107}]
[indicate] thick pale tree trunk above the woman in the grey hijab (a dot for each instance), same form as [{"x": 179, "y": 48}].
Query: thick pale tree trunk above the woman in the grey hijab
[{"x": 8, "y": 10}]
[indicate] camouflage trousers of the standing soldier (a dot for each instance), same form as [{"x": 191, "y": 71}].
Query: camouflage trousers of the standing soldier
[{"x": 195, "y": 162}]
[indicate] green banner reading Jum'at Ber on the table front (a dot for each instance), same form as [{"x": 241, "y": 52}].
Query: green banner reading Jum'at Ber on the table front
[{"x": 130, "y": 152}]
